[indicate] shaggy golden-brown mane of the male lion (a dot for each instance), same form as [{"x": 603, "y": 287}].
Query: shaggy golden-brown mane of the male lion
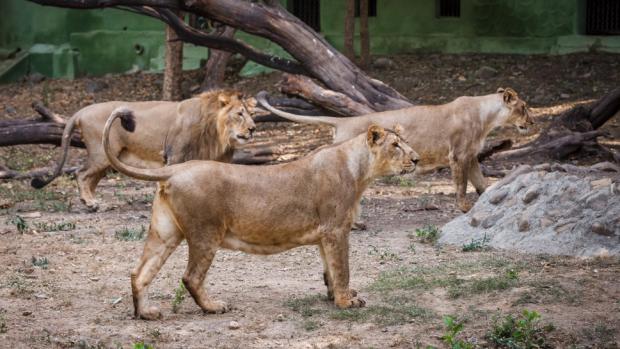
[{"x": 209, "y": 137}]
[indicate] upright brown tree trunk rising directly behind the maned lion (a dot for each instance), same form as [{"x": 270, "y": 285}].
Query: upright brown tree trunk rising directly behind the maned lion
[{"x": 174, "y": 67}]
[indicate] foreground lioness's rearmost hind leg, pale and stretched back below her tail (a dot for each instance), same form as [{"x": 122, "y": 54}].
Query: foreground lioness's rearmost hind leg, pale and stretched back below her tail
[{"x": 163, "y": 238}]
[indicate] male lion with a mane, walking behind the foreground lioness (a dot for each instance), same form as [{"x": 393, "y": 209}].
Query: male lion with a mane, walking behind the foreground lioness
[{"x": 206, "y": 127}]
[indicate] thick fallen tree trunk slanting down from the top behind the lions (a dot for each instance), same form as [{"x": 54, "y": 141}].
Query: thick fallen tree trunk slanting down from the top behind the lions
[{"x": 268, "y": 19}]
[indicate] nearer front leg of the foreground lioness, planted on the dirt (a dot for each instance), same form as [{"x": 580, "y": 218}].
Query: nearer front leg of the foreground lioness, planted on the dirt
[{"x": 335, "y": 250}]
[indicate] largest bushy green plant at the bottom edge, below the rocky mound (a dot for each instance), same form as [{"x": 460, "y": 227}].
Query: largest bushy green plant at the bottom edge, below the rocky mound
[{"x": 523, "y": 332}]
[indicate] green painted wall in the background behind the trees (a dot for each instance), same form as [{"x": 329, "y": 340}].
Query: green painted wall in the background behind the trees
[{"x": 66, "y": 43}]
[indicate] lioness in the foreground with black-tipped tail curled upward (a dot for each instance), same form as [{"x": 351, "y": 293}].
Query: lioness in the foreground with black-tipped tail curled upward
[{"x": 260, "y": 209}]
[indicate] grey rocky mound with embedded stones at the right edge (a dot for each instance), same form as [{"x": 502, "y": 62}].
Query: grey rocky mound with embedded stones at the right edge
[{"x": 561, "y": 210}]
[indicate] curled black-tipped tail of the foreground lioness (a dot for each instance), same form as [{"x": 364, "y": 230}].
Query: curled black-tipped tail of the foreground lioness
[{"x": 128, "y": 122}]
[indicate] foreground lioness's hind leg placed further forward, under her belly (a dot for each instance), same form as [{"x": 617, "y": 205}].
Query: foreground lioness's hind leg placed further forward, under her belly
[{"x": 201, "y": 254}]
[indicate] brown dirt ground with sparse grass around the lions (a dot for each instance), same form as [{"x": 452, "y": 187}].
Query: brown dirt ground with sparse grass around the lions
[{"x": 64, "y": 280}]
